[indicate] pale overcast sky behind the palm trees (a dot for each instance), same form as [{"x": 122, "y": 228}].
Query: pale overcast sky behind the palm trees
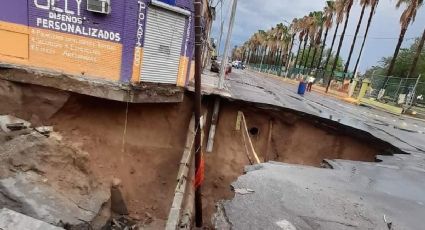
[{"x": 253, "y": 15}]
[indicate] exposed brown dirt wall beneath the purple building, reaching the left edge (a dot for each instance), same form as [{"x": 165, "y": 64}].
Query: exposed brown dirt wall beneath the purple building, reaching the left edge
[{"x": 147, "y": 163}]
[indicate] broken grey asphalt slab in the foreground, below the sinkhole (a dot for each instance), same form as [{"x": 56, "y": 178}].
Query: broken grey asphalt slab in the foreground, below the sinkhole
[{"x": 354, "y": 195}]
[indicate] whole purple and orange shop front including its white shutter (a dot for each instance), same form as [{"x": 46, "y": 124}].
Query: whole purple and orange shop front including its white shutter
[{"x": 127, "y": 41}]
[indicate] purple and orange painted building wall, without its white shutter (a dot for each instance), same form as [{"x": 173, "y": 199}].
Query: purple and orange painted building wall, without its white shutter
[{"x": 62, "y": 36}]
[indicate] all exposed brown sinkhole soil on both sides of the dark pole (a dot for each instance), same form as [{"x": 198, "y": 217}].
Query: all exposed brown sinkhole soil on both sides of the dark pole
[{"x": 155, "y": 137}]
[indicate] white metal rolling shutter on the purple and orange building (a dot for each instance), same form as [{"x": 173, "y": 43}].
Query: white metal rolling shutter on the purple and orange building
[{"x": 163, "y": 42}]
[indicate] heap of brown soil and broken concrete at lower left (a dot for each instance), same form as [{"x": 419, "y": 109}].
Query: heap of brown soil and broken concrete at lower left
[{"x": 47, "y": 179}]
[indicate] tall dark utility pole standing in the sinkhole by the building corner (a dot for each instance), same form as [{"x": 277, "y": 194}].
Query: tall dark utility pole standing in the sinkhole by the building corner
[{"x": 198, "y": 67}]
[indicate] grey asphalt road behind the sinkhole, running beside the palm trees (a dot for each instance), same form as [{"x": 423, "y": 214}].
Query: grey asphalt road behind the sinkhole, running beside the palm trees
[{"x": 403, "y": 132}]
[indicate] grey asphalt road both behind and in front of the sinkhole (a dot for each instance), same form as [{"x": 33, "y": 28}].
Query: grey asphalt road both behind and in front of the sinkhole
[{"x": 388, "y": 194}]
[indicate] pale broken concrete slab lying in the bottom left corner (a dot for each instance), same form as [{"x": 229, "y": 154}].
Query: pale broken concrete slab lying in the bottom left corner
[{"x": 28, "y": 193}]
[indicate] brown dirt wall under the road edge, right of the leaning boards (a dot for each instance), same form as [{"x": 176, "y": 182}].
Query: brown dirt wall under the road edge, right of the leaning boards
[{"x": 304, "y": 140}]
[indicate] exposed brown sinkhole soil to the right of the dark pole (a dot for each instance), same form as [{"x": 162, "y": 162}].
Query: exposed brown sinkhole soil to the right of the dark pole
[{"x": 295, "y": 139}]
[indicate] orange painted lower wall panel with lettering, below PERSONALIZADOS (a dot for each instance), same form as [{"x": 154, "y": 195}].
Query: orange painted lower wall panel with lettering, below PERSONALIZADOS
[{"x": 61, "y": 52}]
